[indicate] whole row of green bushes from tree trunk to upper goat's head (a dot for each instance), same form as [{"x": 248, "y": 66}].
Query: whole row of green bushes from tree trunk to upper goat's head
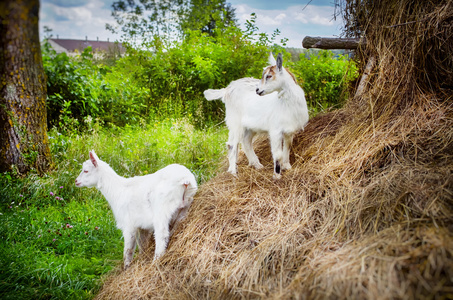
[{"x": 162, "y": 79}]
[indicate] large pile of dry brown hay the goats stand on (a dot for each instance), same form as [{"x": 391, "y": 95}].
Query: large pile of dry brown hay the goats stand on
[{"x": 365, "y": 212}]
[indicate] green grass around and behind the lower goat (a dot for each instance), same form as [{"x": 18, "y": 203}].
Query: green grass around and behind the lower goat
[{"x": 59, "y": 241}]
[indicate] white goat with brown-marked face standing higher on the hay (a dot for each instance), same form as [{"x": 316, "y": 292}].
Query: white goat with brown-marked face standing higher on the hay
[{"x": 275, "y": 104}]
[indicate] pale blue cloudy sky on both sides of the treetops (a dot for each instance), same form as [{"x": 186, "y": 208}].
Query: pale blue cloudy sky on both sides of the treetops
[{"x": 78, "y": 19}]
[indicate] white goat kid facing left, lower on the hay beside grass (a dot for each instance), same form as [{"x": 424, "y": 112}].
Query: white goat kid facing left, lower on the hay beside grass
[{"x": 142, "y": 203}]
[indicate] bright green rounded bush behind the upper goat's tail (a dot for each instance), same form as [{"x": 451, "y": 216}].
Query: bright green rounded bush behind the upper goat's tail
[{"x": 177, "y": 73}]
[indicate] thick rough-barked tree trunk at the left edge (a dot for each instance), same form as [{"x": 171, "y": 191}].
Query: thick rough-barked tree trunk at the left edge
[{"x": 23, "y": 128}]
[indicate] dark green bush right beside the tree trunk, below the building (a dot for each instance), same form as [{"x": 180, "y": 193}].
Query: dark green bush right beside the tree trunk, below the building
[{"x": 78, "y": 88}]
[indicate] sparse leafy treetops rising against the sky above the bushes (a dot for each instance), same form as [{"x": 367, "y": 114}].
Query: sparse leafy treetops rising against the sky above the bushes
[{"x": 144, "y": 20}]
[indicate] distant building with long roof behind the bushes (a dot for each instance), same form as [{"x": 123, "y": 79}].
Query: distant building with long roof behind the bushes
[{"x": 74, "y": 47}]
